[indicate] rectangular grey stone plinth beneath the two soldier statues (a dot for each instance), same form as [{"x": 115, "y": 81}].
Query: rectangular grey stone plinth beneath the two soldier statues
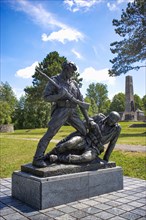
[{"x": 42, "y": 193}]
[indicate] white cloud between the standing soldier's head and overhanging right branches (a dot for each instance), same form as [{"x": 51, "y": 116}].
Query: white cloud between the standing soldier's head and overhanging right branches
[{"x": 101, "y": 76}]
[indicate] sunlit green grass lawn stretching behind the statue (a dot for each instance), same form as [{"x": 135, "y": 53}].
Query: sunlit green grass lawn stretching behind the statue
[{"x": 19, "y": 147}]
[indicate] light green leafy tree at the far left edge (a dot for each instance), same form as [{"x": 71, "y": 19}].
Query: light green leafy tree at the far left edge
[{"x": 8, "y": 103}]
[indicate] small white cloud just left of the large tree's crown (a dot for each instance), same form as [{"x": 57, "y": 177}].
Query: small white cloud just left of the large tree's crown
[{"x": 27, "y": 72}]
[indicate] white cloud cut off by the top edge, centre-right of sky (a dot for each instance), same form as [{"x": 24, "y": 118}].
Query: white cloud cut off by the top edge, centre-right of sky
[{"x": 76, "y": 5}]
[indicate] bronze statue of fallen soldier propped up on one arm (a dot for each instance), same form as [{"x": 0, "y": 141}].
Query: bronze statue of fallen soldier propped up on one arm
[{"x": 77, "y": 149}]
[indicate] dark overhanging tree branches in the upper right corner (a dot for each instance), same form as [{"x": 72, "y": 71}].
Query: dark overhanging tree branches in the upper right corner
[{"x": 132, "y": 49}]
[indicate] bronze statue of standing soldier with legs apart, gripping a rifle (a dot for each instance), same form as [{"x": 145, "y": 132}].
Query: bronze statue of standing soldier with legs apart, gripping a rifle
[{"x": 64, "y": 94}]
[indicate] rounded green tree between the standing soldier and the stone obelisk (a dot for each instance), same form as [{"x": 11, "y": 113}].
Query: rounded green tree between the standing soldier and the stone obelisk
[{"x": 98, "y": 92}]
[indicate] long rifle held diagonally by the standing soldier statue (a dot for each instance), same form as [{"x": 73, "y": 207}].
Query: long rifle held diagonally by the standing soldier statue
[{"x": 69, "y": 96}]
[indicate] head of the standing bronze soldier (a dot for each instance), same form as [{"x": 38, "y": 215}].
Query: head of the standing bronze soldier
[{"x": 69, "y": 68}]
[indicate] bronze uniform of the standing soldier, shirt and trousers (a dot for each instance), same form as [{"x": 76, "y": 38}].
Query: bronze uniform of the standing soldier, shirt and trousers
[{"x": 63, "y": 110}]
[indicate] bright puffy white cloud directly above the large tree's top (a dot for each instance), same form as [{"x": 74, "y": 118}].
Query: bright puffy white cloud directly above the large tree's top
[{"x": 64, "y": 35}]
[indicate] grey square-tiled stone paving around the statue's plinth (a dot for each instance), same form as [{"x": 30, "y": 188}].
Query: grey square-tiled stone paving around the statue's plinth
[{"x": 126, "y": 204}]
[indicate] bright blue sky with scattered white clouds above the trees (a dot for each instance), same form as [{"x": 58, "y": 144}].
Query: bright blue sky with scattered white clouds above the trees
[{"x": 80, "y": 30}]
